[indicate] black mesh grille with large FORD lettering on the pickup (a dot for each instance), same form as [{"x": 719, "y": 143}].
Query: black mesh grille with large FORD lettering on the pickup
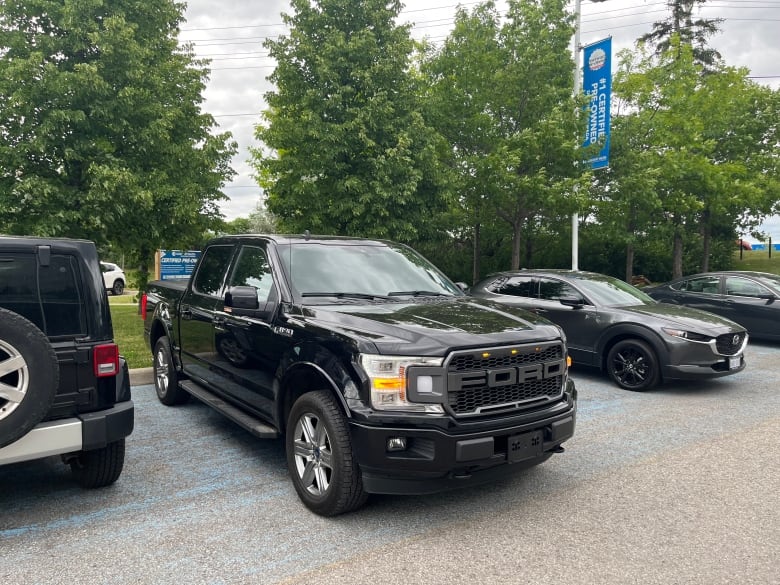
[{"x": 504, "y": 378}]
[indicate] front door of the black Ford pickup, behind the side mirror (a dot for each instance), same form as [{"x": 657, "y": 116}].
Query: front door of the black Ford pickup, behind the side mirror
[{"x": 247, "y": 348}]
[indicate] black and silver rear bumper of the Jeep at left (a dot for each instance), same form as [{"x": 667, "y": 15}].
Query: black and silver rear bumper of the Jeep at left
[{"x": 84, "y": 432}]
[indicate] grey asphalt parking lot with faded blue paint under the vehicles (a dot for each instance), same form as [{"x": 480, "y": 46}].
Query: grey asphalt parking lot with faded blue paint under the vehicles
[{"x": 678, "y": 485}]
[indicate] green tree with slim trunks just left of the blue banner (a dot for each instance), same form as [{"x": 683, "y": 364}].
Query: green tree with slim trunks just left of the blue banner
[{"x": 503, "y": 87}]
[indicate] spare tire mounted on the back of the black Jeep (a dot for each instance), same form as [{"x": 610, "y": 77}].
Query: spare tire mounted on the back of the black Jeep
[{"x": 29, "y": 376}]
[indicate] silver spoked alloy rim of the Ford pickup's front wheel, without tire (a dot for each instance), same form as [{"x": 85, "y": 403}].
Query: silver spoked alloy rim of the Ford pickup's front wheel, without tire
[{"x": 313, "y": 454}]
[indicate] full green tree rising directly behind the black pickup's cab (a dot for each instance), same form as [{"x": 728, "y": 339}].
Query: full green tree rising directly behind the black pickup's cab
[{"x": 347, "y": 150}]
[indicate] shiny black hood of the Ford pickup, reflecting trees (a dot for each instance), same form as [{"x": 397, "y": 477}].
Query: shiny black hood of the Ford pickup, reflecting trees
[{"x": 433, "y": 326}]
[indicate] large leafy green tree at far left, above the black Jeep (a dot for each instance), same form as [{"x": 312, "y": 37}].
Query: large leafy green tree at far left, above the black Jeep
[{"x": 101, "y": 130}]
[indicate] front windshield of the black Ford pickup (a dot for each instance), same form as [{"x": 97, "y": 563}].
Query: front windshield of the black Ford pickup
[{"x": 344, "y": 270}]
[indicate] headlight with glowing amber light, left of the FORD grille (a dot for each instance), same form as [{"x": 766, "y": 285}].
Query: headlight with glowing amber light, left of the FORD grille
[{"x": 389, "y": 382}]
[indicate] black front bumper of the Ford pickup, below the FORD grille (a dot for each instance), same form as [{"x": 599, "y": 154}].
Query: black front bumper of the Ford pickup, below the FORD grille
[{"x": 435, "y": 460}]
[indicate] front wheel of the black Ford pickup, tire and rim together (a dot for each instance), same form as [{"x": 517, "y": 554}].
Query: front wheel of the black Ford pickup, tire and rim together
[{"x": 320, "y": 457}]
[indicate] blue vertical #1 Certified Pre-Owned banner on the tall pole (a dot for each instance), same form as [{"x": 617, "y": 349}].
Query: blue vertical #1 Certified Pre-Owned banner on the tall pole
[{"x": 597, "y": 85}]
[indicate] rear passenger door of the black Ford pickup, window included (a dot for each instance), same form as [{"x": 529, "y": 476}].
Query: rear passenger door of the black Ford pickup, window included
[{"x": 196, "y": 313}]
